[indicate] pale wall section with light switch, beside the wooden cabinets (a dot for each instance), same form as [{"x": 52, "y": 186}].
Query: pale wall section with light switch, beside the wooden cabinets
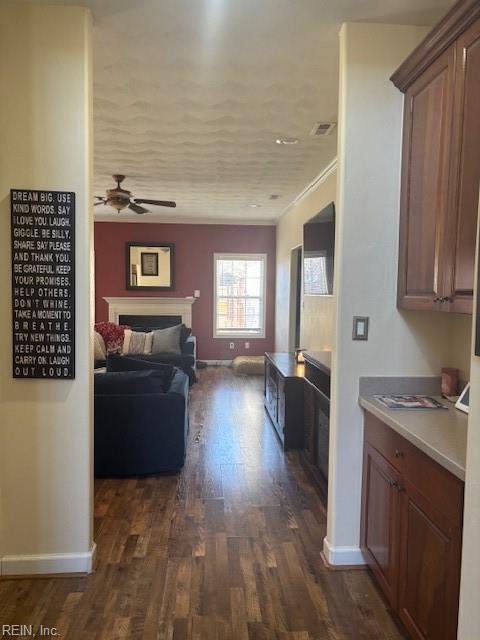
[{"x": 370, "y": 124}]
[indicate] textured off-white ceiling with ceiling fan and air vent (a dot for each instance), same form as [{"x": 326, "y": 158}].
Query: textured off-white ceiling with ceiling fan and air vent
[{"x": 190, "y": 95}]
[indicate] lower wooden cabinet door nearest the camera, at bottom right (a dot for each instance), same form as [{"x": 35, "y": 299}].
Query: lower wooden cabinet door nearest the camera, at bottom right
[{"x": 430, "y": 557}]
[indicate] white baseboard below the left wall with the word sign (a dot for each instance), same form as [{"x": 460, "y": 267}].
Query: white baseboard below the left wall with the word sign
[{"x": 53, "y": 563}]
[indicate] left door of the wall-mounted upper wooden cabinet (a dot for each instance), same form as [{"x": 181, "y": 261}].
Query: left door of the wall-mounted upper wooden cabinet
[{"x": 425, "y": 175}]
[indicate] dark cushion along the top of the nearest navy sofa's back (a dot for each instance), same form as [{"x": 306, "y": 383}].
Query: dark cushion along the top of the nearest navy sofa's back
[{"x": 129, "y": 382}]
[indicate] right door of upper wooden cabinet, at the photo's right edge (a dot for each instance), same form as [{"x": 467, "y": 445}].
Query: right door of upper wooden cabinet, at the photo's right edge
[{"x": 465, "y": 168}]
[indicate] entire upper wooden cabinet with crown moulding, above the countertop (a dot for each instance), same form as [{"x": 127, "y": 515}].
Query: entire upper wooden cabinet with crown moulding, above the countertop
[{"x": 441, "y": 165}]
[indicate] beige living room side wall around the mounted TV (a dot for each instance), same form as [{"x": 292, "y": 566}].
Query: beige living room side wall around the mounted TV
[{"x": 317, "y": 311}]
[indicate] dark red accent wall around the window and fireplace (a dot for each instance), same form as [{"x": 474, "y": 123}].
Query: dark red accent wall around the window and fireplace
[{"x": 195, "y": 245}]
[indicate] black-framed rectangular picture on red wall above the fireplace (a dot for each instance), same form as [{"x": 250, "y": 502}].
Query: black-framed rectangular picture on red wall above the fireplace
[{"x": 150, "y": 265}]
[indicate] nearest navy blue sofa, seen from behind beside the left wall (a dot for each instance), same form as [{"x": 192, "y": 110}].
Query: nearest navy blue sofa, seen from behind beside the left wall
[{"x": 140, "y": 433}]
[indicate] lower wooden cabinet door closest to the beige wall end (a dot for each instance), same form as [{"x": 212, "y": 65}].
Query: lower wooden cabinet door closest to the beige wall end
[{"x": 380, "y": 520}]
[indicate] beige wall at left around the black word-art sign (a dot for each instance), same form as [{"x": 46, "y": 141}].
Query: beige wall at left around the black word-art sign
[{"x": 46, "y": 426}]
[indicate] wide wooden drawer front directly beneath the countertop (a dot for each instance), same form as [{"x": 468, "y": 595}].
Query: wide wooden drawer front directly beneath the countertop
[{"x": 441, "y": 488}]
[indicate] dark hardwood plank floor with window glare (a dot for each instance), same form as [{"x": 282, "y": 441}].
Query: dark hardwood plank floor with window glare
[{"x": 227, "y": 550}]
